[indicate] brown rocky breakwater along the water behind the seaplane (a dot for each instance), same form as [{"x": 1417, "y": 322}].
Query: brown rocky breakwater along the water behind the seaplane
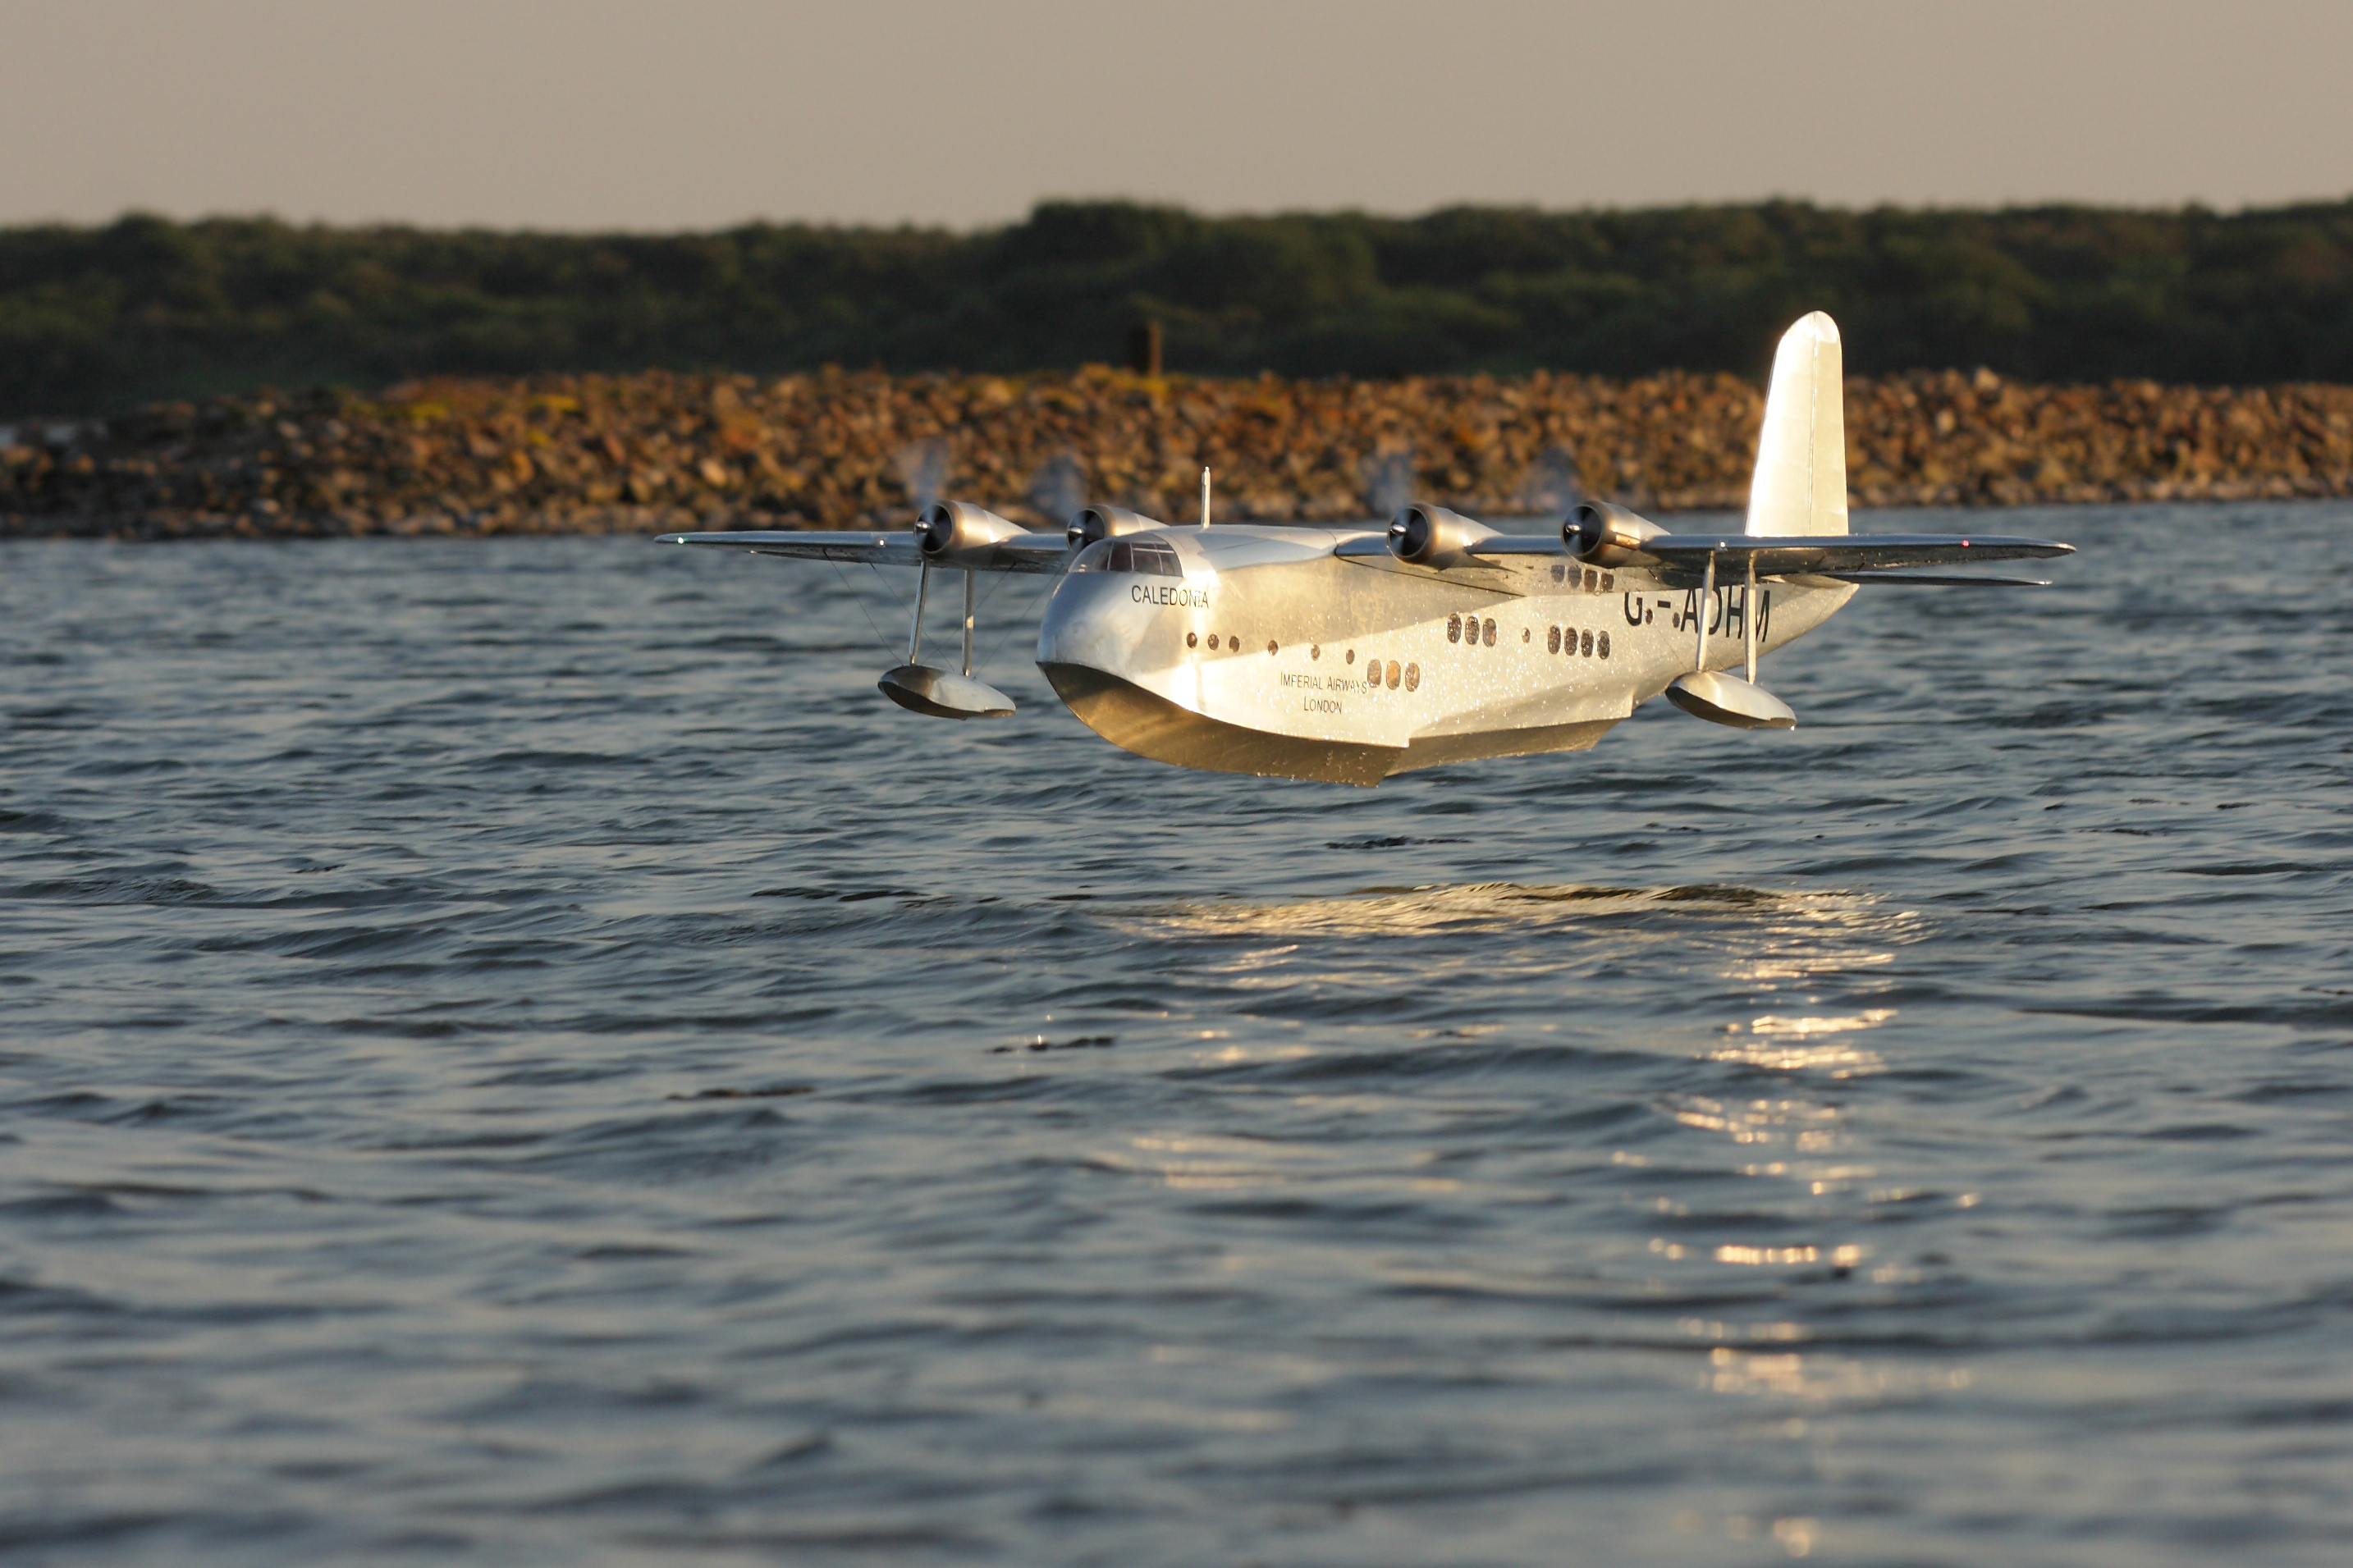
[{"x": 853, "y": 450}]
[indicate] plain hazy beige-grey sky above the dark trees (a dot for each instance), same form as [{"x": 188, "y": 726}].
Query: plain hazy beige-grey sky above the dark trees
[{"x": 596, "y": 114}]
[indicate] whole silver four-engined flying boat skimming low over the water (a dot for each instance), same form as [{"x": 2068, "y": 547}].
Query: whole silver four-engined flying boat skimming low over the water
[{"x": 1347, "y": 655}]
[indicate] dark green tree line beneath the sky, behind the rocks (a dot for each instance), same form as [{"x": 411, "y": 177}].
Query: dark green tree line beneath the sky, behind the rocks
[{"x": 147, "y": 309}]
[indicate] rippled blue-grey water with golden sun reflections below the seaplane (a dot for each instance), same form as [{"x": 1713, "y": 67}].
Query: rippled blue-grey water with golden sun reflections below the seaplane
[{"x": 516, "y": 1054}]
